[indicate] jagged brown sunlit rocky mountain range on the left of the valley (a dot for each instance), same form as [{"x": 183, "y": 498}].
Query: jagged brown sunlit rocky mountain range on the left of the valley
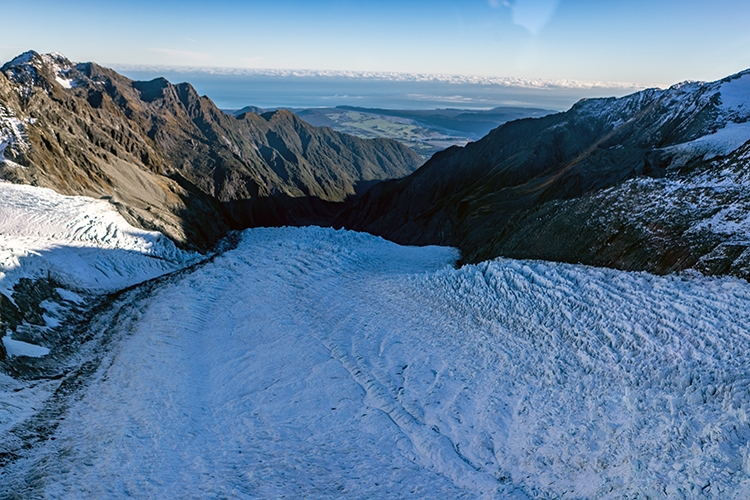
[{"x": 169, "y": 159}]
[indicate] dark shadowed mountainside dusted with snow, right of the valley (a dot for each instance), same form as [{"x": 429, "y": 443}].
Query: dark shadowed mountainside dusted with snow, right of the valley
[{"x": 607, "y": 183}]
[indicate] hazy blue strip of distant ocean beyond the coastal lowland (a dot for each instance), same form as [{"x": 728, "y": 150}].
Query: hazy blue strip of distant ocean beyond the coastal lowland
[{"x": 231, "y": 91}]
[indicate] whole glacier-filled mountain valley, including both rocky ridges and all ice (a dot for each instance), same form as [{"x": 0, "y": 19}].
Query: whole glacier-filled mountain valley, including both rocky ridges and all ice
[{"x": 561, "y": 310}]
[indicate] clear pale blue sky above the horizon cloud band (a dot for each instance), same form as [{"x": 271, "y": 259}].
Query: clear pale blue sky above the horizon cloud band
[{"x": 655, "y": 42}]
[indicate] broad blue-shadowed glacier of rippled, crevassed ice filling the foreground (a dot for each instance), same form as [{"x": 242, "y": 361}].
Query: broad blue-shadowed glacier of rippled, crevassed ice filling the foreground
[{"x": 318, "y": 363}]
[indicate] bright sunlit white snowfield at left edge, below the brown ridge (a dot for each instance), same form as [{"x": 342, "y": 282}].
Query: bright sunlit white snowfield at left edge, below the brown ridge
[{"x": 81, "y": 242}]
